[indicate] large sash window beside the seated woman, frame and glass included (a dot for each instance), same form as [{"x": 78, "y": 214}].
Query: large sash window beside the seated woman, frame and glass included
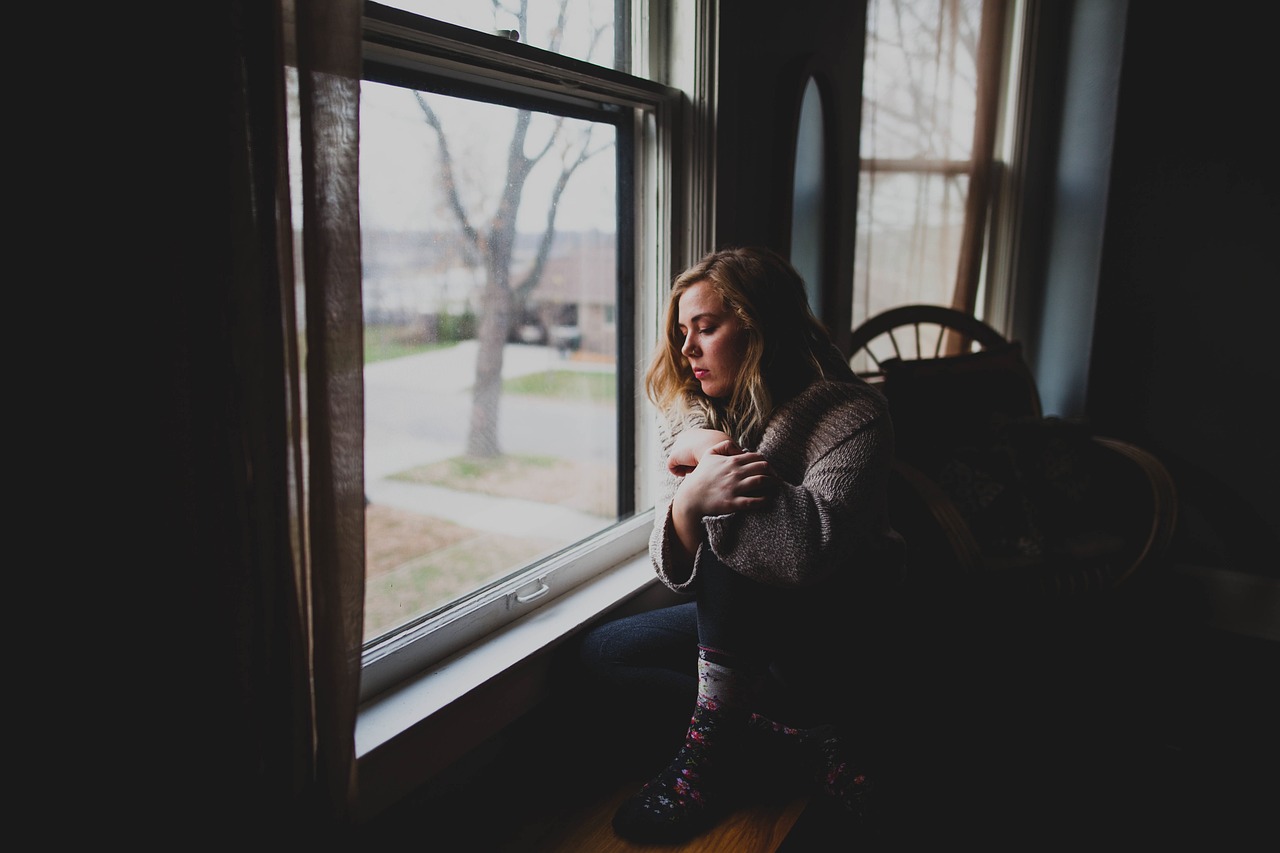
[{"x": 508, "y": 198}]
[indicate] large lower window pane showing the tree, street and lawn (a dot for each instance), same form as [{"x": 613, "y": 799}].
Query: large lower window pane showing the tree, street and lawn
[{"x": 469, "y": 481}]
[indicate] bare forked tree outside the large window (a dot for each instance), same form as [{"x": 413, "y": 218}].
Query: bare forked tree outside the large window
[{"x": 493, "y": 244}]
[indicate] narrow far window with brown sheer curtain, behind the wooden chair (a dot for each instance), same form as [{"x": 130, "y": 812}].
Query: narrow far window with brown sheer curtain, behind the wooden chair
[{"x": 930, "y": 69}]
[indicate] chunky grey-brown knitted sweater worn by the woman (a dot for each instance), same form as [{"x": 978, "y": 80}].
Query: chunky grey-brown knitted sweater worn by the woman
[{"x": 833, "y": 449}]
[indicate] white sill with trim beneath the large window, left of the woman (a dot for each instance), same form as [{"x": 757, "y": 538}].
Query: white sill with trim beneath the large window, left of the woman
[{"x": 409, "y": 735}]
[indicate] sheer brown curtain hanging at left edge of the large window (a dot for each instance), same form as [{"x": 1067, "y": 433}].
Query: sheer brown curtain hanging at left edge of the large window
[{"x": 330, "y": 65}]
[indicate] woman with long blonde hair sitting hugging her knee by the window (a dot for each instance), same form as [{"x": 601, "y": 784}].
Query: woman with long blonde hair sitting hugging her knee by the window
[{"x": 774, "y": 519}]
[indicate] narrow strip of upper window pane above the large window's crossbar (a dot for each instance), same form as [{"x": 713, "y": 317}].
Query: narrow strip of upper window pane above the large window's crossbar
[{"x": 588, "y": 33}]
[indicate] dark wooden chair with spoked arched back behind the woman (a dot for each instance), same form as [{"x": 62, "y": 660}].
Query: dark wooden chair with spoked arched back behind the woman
[{"x": 991, "y": 495}]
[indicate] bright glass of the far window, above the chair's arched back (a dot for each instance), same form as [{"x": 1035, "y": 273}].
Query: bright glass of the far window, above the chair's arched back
[{"x": 920, "y": 98}]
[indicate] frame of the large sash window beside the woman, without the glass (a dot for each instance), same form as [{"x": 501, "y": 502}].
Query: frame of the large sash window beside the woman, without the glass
[{"x": 401, "y": 47}]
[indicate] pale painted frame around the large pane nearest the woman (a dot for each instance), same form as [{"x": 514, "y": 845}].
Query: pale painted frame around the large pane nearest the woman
[{"x": 445, "y": 51}]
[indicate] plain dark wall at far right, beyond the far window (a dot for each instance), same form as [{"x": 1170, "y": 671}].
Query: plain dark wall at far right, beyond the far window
[{"x": 1185, "y": 358}]
